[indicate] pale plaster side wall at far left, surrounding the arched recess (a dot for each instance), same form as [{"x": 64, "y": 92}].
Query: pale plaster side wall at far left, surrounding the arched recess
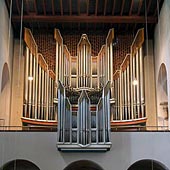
[{"x": 6, "y": 50}]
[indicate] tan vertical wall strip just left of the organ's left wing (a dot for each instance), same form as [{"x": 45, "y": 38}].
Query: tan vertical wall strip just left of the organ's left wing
[{"x": 17, "y": 85}]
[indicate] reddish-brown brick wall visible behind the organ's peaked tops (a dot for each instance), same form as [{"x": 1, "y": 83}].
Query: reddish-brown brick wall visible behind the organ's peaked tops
[{"x": 46, "y": 46}]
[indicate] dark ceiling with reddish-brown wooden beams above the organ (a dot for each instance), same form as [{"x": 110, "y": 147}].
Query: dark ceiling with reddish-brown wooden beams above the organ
[{"x": 85, "y": 15}]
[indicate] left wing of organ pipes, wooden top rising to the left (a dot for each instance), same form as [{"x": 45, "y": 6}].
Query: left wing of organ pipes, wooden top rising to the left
[{"x": 39, "y": 86}]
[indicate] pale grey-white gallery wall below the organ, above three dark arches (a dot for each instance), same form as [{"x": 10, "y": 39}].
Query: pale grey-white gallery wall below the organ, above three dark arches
[{"x": 127, "y": 148}]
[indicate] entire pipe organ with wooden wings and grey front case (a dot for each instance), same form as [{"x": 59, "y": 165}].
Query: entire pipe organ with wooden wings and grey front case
[{"x": 84, "y": 96}]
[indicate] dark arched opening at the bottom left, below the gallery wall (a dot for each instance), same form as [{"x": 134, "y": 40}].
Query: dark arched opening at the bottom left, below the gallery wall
[{"x": 19, "y": 164}]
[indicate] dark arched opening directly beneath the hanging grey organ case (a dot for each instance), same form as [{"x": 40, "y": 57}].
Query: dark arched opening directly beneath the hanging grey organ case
[{"x": 83, "y": 165}]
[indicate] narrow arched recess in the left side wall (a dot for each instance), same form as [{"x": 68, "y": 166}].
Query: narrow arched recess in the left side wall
[{"x": 5, "y": 76}]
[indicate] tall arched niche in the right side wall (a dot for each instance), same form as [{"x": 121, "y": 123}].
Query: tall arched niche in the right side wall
[{"x": 162, "y": 96}]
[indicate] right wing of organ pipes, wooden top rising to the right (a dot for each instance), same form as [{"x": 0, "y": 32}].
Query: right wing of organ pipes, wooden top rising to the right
[{"x": 129, "y": 84}]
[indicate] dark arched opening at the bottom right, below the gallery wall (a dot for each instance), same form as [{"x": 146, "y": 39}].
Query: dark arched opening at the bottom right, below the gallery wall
[{"x": 147, "y": 164}]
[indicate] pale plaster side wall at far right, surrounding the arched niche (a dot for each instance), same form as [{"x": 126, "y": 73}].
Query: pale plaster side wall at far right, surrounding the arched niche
[{"x": 162, "y": 51}]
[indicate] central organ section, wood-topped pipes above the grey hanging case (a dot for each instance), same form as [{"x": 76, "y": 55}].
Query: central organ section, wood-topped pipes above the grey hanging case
[{"x": 84, "y": 102}]
